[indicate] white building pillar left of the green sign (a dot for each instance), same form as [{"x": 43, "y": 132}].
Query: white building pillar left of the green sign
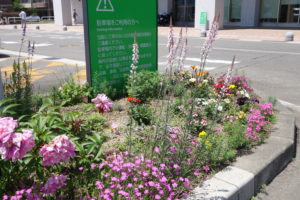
[{"x": 62, "y": 12}]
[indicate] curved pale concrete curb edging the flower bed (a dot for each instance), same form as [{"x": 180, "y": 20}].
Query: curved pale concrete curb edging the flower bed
[{"x": 244, "y": 178}]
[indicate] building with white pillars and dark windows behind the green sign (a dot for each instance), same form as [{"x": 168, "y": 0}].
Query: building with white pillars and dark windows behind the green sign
[{"x": 233, "y": 13}]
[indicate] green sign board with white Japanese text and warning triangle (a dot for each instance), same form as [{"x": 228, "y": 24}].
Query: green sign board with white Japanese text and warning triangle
[{"x": 110, "y": 26}]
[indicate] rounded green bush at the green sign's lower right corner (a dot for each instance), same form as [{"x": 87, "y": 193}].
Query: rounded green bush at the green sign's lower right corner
[{"x": 146, "y": 87}]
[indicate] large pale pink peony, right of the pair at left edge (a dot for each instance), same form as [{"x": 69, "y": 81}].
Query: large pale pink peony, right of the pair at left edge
[{"x": 60, "y": 149}]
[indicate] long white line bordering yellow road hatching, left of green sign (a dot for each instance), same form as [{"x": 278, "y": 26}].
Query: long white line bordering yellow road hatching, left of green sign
[{"x": 37, "y": 56}]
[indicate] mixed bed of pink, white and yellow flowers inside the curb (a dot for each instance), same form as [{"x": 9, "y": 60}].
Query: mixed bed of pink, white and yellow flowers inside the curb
[{"x": 166, "y": 136}]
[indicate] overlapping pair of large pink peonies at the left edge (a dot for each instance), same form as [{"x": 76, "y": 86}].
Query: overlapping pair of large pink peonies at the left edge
[{"x": 14, "y": 145}]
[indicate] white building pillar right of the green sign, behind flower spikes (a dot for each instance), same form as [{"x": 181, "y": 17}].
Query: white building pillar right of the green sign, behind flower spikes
[{"x": 213, "y": 8}]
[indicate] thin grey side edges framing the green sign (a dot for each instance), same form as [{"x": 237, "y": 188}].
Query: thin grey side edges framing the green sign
[{"x": 87, "y": 40}]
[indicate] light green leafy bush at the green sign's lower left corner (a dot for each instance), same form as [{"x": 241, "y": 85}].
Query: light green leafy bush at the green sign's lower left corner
[{"x": 71, "y": 93}]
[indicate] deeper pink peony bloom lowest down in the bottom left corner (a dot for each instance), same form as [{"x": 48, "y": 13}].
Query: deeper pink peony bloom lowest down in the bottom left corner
[{"x": 53, "y": 183}]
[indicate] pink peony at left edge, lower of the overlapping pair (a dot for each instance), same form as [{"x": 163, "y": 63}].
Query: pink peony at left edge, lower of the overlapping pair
[{"x": 15, "y": 145}]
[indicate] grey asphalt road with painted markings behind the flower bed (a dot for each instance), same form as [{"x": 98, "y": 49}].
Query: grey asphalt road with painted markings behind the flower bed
[{"x": 273, "y": 68}]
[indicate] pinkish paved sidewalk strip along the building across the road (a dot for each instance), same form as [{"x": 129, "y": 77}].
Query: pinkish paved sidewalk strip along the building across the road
[{"x": 240, "y": 34}]
